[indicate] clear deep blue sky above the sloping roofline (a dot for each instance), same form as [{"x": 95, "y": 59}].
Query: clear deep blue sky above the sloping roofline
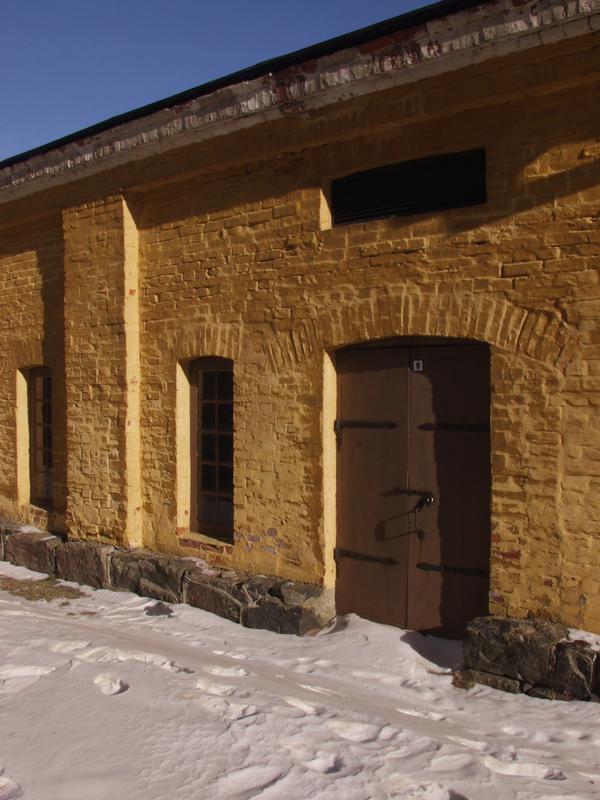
[{"x": 66, "y": 64}]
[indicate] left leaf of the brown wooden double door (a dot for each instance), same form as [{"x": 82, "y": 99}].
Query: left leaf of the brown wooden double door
[{"x": 372, "y": 467}]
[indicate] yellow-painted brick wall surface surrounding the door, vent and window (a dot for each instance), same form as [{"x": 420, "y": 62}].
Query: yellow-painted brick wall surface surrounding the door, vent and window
[{"x": 233, "y": 261}]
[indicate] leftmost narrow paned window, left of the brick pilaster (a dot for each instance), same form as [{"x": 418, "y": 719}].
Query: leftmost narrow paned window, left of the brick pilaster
[{"x": 39, "y": 389}]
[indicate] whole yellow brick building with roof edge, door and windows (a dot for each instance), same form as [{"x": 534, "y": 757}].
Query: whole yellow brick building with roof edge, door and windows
[{"x": 333, "y": 318}]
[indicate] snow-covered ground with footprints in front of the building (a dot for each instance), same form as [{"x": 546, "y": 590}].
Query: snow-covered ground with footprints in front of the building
[{"x": 101, "y": 701}]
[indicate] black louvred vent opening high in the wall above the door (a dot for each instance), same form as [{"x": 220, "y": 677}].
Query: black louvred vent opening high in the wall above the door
[{"x": 453, "y": 180}]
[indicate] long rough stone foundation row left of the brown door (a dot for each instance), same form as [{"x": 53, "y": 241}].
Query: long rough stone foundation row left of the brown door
[{"x": 256, "y": 601}]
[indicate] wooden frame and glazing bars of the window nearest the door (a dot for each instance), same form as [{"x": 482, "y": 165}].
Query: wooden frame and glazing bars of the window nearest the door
[{"x": 197, "y": 370}]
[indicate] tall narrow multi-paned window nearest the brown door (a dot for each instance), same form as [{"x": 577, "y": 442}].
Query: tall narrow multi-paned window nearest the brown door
[{"x": 211, "y": 383}]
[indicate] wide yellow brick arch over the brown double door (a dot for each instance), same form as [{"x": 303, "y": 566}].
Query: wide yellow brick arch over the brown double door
[{"x": 537, "y": 334}]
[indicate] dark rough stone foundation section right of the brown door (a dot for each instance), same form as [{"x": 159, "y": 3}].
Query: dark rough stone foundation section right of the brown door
[{"x": 531, "y": 656}]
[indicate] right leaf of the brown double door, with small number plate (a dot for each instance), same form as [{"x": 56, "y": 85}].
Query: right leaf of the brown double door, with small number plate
[{"x": 450, "y": 457}]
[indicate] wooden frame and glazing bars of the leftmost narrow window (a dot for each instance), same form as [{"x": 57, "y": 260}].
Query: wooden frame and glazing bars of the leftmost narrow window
[{"x": 47, "y": 452}]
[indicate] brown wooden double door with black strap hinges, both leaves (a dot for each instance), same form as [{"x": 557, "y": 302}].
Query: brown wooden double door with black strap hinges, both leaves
[{"x": 414, "y": 483}]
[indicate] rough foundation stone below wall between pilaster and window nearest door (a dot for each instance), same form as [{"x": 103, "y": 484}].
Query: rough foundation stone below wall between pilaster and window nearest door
[{"x": 128, "y": 568}]
